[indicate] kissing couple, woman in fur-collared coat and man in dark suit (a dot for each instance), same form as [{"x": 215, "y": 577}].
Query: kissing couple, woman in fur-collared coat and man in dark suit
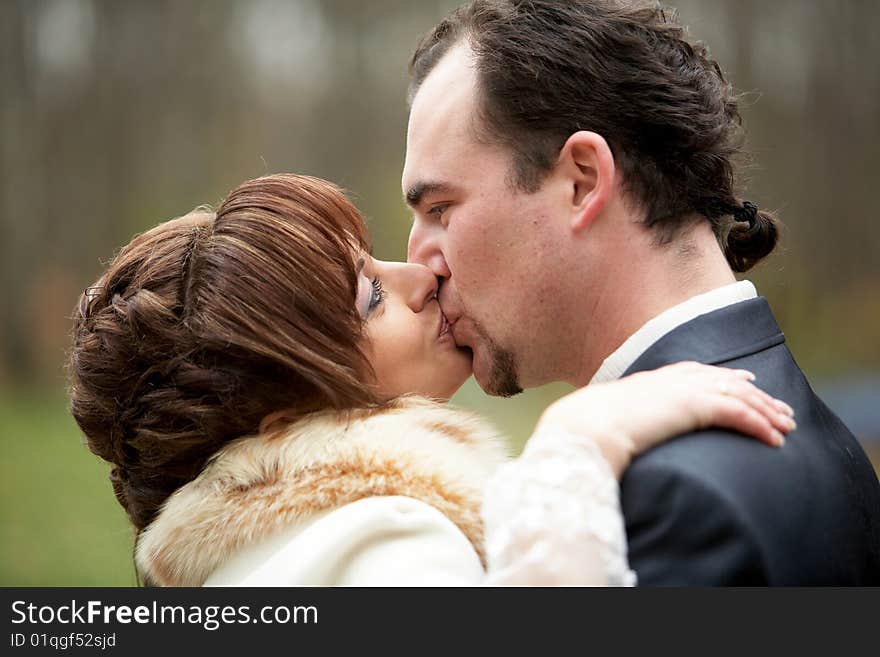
[{"x": 272, "y": 399}]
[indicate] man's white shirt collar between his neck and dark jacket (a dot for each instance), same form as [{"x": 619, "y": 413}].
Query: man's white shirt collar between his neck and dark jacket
[{"x": 639, "y": 342}]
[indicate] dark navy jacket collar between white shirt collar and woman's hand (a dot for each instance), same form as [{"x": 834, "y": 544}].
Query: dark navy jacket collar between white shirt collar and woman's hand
[{"x": 733, "y": 332}]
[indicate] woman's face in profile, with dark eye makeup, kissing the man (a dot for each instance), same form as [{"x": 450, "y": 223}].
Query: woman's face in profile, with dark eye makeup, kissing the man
[{"x": 410, "y": 347}]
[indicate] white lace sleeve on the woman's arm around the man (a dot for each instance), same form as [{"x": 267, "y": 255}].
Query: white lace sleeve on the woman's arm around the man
[{"x": 552, "y": 517}]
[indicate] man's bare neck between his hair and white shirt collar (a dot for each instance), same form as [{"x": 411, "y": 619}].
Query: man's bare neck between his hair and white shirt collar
[{"x": 630, "y": 296}]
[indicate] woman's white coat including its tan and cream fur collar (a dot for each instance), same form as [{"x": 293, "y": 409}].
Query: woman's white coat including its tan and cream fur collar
[{"x": 382, "y": 497}]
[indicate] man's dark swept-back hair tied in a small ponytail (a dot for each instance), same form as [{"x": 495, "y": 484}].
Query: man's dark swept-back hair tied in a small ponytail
[{"x": 626, "y": 71}]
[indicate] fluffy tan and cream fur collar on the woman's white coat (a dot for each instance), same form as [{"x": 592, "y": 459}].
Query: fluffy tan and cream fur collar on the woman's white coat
[{"x": 260, "y": 484}]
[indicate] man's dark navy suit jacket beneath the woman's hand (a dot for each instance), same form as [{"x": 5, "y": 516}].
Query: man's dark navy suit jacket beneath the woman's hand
[{"x": 716, "y": 508}]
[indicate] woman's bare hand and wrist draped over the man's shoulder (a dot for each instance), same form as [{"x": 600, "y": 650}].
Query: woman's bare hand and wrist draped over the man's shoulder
[{"x": 628, "y": 416}]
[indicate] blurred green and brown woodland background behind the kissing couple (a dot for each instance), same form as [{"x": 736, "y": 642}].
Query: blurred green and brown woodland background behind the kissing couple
[{"x": 116, "y": 115}]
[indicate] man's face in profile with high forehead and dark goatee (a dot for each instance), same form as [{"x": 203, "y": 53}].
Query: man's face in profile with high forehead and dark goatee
[{"x": 492, "y": 245}]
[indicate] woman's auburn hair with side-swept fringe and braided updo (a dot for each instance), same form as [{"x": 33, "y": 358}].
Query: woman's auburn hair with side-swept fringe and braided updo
[{"x": 206, "y": 324}]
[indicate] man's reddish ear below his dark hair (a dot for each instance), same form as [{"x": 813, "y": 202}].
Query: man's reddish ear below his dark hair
[{"x": 588, "y": 164}]
